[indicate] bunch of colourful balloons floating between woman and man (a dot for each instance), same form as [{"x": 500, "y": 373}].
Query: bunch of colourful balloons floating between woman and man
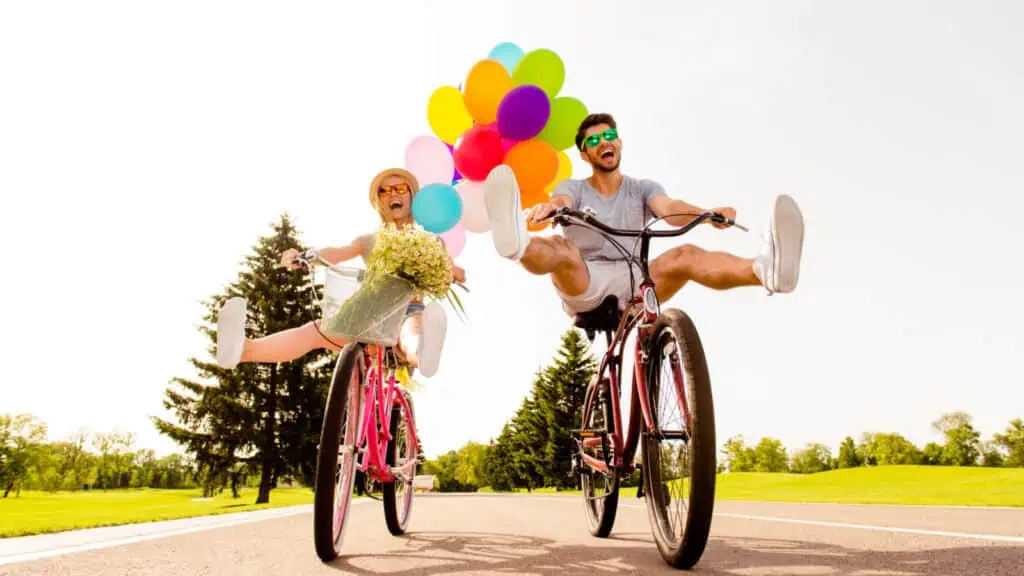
[{"x": 507, "y": 111}]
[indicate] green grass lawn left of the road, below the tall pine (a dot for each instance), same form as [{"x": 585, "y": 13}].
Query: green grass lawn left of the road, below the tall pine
[{"x": 36, "y": 513}]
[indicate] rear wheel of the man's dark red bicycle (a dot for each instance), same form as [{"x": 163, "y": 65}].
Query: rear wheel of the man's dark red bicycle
[{"x": 601, "y": 490}]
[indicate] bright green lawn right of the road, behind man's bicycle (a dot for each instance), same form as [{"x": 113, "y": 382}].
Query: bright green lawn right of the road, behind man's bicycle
[{"x": 883, "y": 485}]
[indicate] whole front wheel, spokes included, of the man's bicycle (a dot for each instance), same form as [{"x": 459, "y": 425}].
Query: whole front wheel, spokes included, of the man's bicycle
[{"x": 680, "y": 457}]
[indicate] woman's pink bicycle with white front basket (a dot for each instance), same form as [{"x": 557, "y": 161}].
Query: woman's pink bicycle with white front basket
[{"x": 368, "y": 423}]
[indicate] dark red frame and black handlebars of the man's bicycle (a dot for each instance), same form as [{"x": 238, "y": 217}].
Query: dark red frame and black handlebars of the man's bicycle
[{"x": 643, "y": 313}]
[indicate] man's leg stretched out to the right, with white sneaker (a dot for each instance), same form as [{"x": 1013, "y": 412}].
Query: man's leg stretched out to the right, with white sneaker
[{"x": 777, "y": 268}]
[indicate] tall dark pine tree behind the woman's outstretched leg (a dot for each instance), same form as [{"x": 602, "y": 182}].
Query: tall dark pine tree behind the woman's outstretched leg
[{"x": 259, "y": 419}]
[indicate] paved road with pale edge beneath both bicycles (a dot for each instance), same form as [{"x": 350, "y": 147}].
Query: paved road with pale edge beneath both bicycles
[{"x": 488, "y": 534}]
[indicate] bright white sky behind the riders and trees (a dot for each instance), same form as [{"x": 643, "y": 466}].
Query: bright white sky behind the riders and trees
[{"x": 145, "y": 147}]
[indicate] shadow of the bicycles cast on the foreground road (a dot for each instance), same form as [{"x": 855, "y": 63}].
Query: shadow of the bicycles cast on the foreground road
[{"x": 472, "y": 553}]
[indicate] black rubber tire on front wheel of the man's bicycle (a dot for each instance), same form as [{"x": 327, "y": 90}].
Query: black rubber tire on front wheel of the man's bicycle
[{"x": 686, "y": 552}]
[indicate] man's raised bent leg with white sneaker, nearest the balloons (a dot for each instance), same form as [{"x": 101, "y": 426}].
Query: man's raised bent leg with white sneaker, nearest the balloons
[{"x": 554, "y": 256}]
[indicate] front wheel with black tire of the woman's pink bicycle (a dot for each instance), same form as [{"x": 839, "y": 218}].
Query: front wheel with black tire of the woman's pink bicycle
[{"x": 344, "y": 402}]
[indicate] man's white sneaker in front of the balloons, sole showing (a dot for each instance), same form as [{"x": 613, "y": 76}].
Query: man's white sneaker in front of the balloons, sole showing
[{"x": 508, "y": 227}]
